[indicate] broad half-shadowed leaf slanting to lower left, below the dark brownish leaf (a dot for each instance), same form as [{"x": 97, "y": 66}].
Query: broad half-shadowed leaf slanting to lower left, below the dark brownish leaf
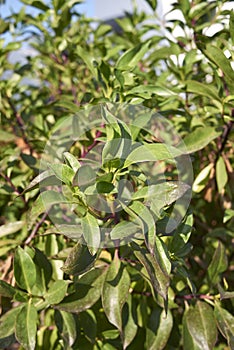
[{"x": 88, "y": 291}]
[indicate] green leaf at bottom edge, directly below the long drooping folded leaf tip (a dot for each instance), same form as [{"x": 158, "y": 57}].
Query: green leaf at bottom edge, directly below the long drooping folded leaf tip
[{"x": 158, "y": 329}]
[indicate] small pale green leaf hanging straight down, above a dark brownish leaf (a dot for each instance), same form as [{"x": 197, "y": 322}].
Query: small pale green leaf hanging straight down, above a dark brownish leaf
[{"x": 91, "y": 232}]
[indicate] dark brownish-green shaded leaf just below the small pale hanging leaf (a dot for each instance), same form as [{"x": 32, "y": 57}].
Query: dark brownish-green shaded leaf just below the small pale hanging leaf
[{"x": 79, "y": 260}]
